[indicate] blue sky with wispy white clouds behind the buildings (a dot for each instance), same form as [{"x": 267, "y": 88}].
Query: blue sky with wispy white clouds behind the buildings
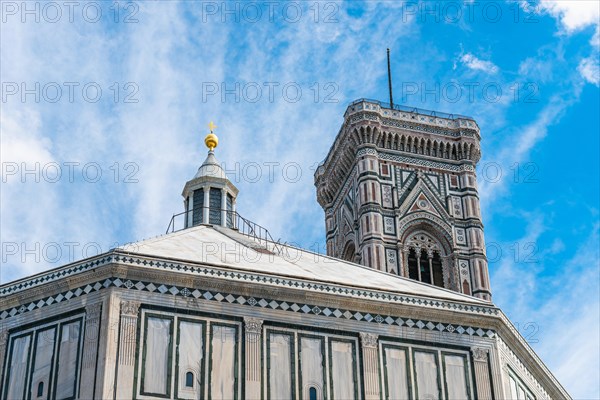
[{"x": 276, "y": 81}]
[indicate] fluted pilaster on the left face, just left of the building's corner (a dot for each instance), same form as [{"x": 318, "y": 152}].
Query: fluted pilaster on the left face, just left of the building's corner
[{"x": 90, "y": 350}]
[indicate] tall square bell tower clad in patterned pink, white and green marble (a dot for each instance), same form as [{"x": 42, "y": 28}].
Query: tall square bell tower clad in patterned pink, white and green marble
[{"x": 399, "y": 192}]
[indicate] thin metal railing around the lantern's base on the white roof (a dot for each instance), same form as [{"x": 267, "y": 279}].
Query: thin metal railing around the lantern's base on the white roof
[{"x": 233, "y": 220}]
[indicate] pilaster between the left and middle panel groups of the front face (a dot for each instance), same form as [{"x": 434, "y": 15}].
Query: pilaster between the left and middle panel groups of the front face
[{"x": 253, "y": 329}]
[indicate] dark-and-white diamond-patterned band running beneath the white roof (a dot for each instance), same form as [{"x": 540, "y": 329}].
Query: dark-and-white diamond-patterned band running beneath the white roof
[{"x": 265, "y": 298}]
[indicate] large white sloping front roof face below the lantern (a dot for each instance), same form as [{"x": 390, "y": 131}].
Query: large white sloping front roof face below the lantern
[{"x": 227, "y": 248}]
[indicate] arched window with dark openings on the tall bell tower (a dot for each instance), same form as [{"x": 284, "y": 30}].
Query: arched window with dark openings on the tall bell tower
[{"x": 424, "y": 259}]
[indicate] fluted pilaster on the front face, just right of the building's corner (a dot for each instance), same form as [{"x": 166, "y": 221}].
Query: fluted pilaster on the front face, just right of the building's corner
[{"x": 127, "y": 348}]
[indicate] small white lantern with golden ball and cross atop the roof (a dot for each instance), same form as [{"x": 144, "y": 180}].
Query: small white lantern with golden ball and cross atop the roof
[{"x": 209, "y": 197}]
